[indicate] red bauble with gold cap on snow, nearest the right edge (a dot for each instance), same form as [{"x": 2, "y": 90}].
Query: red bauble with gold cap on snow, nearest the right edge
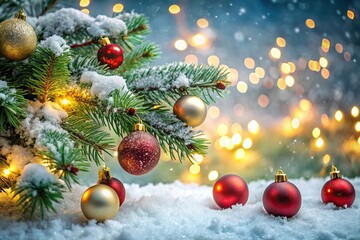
[{"x": 338, "y": 190}]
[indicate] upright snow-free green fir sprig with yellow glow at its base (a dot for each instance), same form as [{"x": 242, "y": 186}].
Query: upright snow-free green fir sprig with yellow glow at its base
[{"x": 49, "y": 75}]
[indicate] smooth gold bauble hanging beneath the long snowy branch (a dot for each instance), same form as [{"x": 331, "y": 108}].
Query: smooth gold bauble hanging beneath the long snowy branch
[{"x": 190, "y": 109}]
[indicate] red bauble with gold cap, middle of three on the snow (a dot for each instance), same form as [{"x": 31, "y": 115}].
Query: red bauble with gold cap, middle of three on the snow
[{"x": 282, "y": 198}]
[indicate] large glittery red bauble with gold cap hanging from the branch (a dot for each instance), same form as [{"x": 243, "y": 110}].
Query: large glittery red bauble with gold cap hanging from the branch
[{"x": 139, "y": 152}]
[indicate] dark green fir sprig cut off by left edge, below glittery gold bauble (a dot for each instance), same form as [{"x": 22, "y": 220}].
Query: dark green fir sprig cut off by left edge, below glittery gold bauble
[{"x": 12, "y": 107}]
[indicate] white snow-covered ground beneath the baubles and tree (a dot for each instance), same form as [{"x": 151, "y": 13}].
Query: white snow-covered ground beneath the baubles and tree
[{"x": 181, "y": 211}]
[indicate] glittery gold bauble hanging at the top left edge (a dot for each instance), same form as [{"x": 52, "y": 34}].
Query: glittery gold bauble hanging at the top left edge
[{"x": 17, "y": 39}]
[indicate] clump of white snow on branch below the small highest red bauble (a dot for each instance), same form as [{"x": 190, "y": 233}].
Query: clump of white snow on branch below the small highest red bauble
[{"x": 102, "y": 85}]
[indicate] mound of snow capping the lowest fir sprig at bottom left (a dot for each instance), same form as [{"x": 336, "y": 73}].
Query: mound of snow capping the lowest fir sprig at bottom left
[{"x": 37, "y": 174}]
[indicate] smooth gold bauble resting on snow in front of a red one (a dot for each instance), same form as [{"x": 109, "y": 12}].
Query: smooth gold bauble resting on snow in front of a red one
[{"x": 100, "y": 202}]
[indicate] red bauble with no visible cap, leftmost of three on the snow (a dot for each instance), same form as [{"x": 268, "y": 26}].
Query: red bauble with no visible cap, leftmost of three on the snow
[{"x": 230, "y": 190}]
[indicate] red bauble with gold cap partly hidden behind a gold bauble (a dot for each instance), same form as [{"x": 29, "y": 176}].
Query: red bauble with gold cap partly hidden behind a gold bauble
[{"x": 114, "y": 183}]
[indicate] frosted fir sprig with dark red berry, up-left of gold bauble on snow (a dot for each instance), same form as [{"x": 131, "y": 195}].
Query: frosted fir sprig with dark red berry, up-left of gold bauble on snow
[{"x": 62, "y": 157}]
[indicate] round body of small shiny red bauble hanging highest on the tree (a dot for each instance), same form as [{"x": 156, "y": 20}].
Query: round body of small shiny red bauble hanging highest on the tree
[{"x": 112, "y": 55}]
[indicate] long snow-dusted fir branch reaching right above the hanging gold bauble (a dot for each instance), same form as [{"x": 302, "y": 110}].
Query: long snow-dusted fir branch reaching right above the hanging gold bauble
[{"x": 162, "y": 83}]
